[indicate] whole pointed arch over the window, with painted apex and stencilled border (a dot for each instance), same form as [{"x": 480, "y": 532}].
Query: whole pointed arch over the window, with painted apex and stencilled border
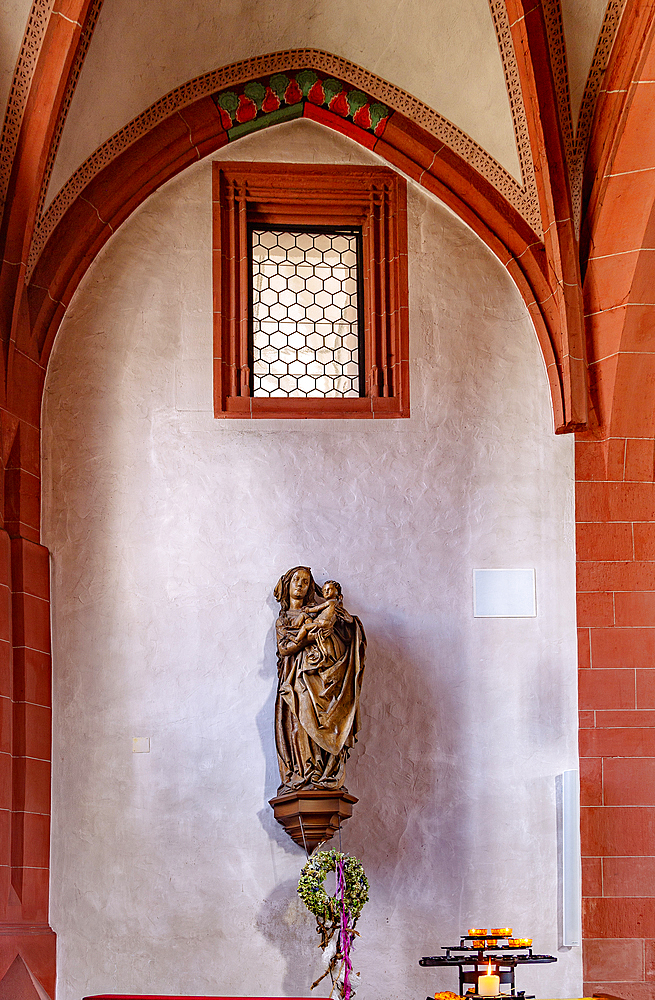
[{"x": 212, "y": 111}]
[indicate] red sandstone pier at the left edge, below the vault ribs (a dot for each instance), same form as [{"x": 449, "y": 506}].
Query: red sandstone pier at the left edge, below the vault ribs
[{"x": 27, "y": 944}]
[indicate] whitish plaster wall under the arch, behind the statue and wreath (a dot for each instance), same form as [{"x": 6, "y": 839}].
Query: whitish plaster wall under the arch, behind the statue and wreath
[{"x": 168, "y": 530}]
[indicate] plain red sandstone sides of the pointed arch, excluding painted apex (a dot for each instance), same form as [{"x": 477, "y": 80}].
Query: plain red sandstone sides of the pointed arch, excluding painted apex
[{"x": 196, "y": 131}]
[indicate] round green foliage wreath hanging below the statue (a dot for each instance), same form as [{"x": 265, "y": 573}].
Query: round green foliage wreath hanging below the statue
[{"x": 316, "y": 899}]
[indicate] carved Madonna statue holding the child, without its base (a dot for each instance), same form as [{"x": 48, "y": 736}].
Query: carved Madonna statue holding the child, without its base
[{"x": 320, "y": 658}]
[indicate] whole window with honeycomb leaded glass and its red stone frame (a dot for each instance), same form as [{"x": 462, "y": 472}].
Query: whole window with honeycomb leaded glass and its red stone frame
[{"x": 310, "y": 293}]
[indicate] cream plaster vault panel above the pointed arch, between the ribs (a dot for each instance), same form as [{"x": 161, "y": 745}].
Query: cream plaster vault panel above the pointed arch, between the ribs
[{"x": 444, "y": 53}]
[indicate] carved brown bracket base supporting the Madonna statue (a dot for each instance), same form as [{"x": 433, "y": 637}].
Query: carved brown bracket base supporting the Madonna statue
[{"x": 317, "y": 813}]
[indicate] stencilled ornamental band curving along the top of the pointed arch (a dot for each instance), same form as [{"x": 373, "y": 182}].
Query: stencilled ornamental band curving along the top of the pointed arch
[{"x": 522, "y": 198}]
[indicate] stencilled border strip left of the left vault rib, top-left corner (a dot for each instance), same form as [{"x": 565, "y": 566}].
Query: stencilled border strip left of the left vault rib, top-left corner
[{"x": 20, "y": 87}]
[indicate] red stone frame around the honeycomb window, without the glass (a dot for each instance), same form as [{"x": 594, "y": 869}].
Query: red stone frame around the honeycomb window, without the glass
[{"x": 290, "y": 194}]
